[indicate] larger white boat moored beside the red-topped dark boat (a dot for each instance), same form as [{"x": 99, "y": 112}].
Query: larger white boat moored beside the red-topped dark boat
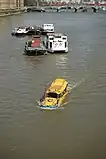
[{"x": 56, "y": 42}]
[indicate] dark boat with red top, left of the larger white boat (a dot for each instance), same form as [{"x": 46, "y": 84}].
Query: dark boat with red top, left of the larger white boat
[{"x": 35, "y": 47}]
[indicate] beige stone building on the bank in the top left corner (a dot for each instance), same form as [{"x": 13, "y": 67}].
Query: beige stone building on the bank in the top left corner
[{"x": 11, "y": 4}]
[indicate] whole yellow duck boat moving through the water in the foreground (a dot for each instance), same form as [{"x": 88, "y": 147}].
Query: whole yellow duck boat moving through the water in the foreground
[{"x": 55, "y": 95}]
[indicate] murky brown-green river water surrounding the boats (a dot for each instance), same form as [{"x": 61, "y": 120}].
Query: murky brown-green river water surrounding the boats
[{"x": 78, "y": 131}]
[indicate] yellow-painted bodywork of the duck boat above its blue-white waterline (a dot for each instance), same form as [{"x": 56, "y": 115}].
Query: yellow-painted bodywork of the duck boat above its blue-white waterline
[{"x": 60, "y": 88}]
